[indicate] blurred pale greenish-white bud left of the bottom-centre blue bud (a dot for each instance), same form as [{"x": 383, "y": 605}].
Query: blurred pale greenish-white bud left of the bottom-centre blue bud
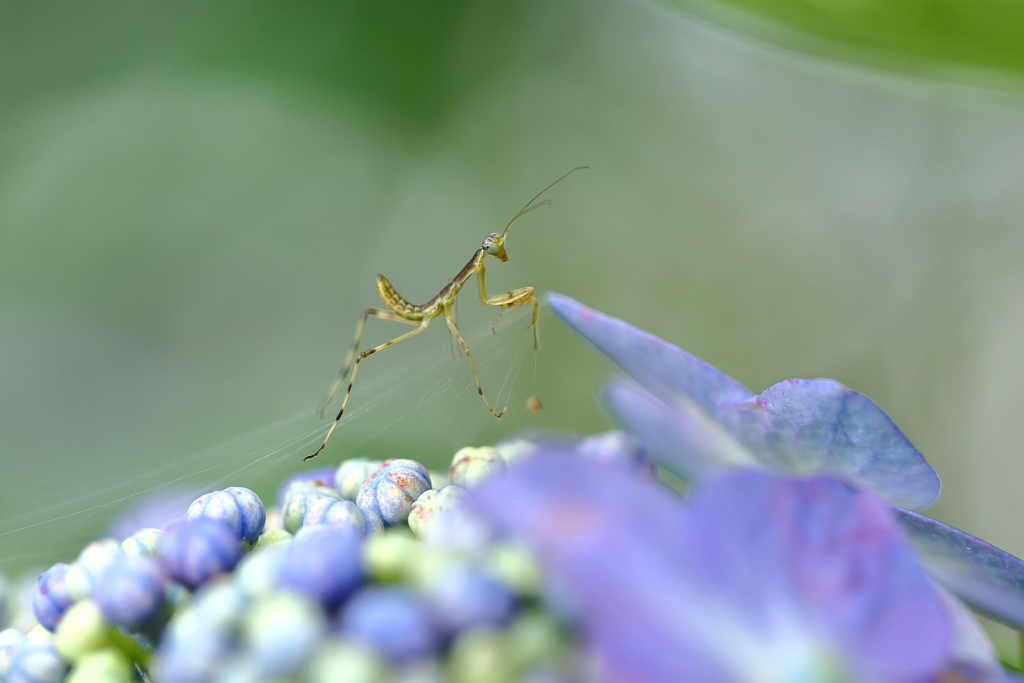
[{"x": 281, "y": 631}]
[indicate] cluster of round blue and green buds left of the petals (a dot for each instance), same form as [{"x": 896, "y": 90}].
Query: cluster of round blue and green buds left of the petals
[{"x": 321, "y": 588}]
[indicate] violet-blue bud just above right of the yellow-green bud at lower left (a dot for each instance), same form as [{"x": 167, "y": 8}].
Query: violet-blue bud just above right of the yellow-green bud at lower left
[{"x": 132, "y": 592}]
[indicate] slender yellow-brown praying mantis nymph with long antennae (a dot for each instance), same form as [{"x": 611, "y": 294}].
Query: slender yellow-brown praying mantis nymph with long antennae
[{"x": 401, "y": 311}]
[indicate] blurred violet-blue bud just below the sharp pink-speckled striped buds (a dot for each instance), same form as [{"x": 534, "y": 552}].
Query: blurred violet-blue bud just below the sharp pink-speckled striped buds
[{"x": 325, "y": 564}]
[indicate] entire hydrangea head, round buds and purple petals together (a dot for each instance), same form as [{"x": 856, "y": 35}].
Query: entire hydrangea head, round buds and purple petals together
[{"x": 796, "y": 556}]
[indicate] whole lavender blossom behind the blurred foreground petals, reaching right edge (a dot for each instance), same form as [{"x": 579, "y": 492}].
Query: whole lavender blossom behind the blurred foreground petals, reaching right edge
[{"x": 698, "y": 421}]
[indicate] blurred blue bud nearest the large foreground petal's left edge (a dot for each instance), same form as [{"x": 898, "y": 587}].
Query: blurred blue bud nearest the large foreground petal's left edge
[{"x": 465, "y": 597}]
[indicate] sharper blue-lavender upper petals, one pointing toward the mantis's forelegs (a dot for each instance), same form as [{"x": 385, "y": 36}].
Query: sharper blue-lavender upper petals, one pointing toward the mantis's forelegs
[{"x": 797, "y": 425}]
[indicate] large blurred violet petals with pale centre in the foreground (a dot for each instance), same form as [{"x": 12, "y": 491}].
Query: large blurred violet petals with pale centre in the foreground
[{"x": 764, "y": 575}]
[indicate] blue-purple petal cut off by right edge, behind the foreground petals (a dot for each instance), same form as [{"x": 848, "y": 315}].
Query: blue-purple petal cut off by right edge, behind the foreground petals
[{"x": 990, "y": 580}]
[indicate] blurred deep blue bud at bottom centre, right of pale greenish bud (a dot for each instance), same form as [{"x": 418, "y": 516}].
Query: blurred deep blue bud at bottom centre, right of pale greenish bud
[{"x": 393, "y": 621}]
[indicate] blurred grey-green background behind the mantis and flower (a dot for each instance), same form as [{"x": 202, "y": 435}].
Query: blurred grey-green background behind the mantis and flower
[{"x": 195, "y": 199}]
